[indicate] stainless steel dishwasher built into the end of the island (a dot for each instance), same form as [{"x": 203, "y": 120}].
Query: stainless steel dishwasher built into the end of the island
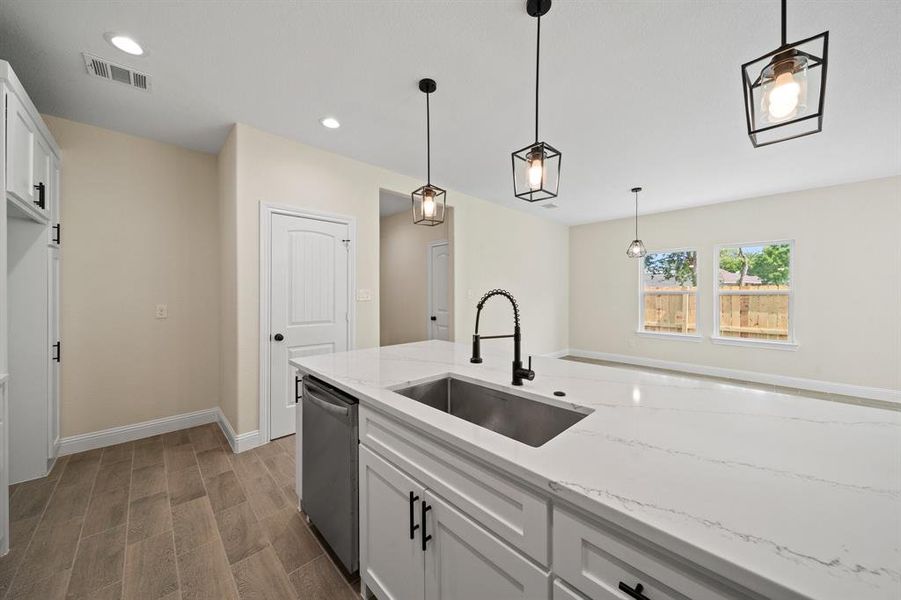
[{"x": 330, "y": 475}]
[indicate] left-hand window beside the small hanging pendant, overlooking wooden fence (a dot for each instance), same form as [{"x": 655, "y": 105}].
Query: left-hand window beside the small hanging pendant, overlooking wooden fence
[{"x": 669, "y": 293}]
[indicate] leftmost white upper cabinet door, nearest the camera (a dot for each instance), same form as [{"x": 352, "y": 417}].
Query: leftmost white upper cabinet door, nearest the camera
[{"x": 19, "y": 151}]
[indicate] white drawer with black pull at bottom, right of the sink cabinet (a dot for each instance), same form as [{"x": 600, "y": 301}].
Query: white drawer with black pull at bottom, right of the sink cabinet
[{"x": 596, "y": 560}]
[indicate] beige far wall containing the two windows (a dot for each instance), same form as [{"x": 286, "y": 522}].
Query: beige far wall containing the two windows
[{"x": 846, "y": 284}]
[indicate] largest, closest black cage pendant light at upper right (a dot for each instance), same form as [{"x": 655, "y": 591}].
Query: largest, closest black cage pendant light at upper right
[{"x": 784, "y": 89}]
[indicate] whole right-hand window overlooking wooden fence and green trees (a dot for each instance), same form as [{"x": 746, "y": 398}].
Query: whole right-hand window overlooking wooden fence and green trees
[{"x": 754, "y": 294}]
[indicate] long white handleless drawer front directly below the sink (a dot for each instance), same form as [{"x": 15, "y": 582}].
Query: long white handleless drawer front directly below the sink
[{"x": 513, "y": 513}]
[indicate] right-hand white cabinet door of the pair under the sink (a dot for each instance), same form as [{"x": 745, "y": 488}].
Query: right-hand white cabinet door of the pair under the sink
[{"x": 464, "y": 561}]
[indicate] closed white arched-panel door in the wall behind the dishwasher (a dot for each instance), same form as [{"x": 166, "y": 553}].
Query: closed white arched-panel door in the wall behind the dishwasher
[{"x": 309, "y": 304}]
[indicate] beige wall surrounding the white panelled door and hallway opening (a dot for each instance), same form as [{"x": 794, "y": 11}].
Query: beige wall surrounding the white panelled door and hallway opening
[{"x": 508, "y": 248}]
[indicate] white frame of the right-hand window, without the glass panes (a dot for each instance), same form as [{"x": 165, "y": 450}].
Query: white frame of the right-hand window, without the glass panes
[{"x": 792, "y": 342}]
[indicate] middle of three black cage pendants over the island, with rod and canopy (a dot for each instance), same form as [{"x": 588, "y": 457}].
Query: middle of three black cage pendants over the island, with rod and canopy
[{"x": 536, "y": 168}]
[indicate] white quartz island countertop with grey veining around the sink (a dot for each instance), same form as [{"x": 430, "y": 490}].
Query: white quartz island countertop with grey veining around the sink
[{"x": 791, "y": 496}]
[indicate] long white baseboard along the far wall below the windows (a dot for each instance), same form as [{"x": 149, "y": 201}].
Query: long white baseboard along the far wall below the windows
[{"x": 829, "y": 387}]
